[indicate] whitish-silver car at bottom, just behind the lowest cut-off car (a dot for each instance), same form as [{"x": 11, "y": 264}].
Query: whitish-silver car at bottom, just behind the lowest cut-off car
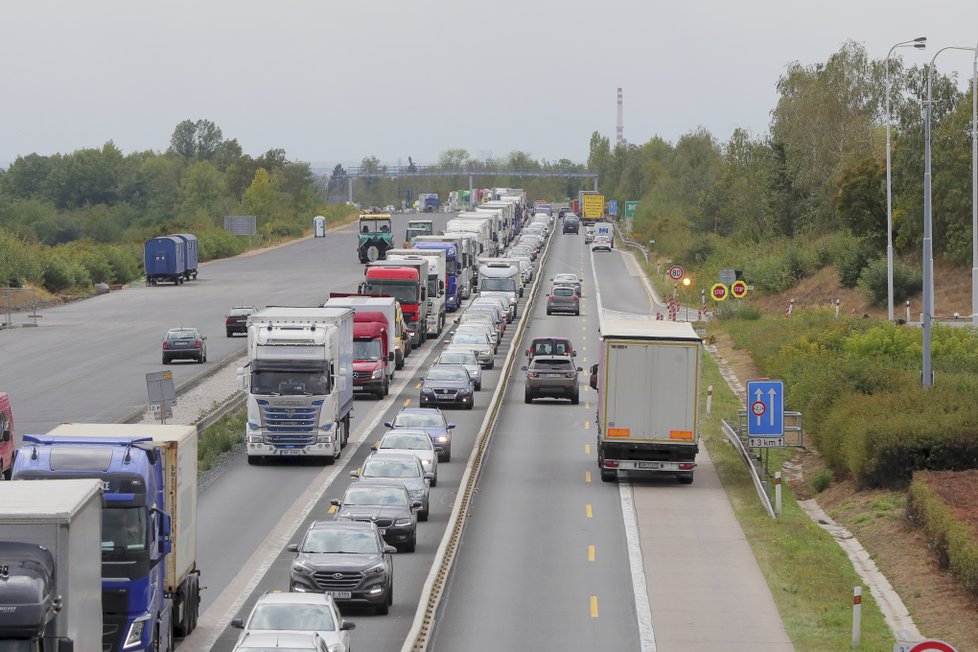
[{"x": 298, "y": 612}]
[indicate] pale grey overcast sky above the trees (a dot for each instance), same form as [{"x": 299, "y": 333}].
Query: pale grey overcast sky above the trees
[{"x": 333, "y": 81}]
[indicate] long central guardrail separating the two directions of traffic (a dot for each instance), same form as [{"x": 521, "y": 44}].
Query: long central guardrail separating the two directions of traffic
[{"x": 418, "y": 637}]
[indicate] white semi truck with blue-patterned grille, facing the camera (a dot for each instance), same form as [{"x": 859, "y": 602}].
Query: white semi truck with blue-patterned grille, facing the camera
[{"x": 299, "y": 380}]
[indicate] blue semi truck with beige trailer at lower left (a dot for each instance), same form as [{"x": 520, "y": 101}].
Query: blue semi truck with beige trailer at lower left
[{"x": 150, "y": 580}]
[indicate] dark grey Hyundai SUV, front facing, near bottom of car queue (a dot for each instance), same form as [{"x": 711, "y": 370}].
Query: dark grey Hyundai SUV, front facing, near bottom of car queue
[{"x": 347, "y": 560}]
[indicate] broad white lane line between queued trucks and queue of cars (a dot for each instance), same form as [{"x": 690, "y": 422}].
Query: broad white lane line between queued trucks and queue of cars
[{"x": 213, "y": 621}]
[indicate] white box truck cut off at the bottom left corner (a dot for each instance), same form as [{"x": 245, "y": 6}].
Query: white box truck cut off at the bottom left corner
[{"x": 51, "y": 565}]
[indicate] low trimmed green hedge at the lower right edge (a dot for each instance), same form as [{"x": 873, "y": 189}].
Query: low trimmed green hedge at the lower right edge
[{"x": 952, "y": 540}]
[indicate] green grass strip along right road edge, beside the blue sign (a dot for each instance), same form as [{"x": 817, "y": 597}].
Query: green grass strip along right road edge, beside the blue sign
[{"x": 810, "y": 576}]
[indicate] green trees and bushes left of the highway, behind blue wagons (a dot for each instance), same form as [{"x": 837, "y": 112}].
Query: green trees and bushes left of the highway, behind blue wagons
[{"x": 70, "y": 220}]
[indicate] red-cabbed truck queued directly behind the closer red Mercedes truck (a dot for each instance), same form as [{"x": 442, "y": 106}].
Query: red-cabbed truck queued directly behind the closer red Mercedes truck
[{"x": 404, "y": 281}]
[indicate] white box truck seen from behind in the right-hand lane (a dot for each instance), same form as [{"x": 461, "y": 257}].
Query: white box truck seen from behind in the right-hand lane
[{"x": 648, "y": 382}]
